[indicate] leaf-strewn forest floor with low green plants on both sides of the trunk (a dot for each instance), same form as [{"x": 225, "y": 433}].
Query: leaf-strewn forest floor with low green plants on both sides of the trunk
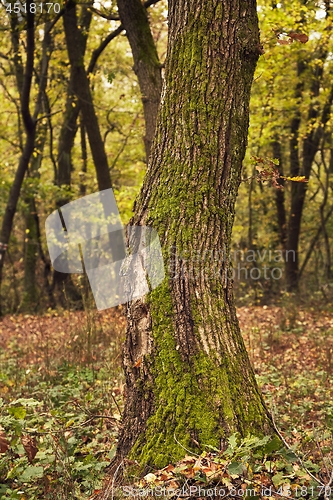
[{"x": 62, "y": 392}]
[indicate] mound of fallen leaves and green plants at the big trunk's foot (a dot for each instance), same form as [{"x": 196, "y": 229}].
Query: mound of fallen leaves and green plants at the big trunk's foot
[{"x": 252, "y": 467}]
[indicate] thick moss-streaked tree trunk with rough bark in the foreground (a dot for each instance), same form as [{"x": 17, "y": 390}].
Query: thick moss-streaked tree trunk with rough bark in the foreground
[{"x": 188, "y": 376}]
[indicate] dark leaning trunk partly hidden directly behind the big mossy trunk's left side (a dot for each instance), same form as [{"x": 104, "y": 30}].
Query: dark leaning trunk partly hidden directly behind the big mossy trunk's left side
[{"x": 147, "y": 67}]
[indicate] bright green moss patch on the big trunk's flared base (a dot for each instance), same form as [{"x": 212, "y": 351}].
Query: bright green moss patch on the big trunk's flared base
[{"x": 194, "y": 402}]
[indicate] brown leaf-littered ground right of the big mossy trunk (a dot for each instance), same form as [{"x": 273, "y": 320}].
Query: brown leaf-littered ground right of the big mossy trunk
[{"x": 291, "y": 352}]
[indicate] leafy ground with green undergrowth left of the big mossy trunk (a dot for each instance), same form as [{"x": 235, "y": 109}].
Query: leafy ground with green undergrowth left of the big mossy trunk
[{"x": 59, "y": 418}]
